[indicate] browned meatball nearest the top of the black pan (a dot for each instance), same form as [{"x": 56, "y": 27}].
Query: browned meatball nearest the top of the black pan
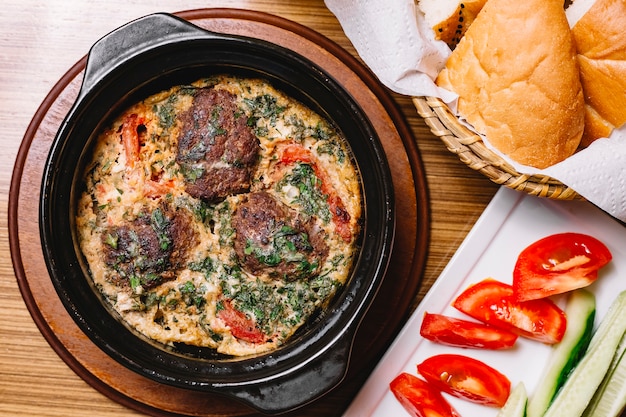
[{"x": 217, "y": 150}]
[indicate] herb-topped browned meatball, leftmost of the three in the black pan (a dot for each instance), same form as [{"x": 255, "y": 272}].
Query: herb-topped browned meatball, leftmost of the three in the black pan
[{"x": 150, "y": 249}]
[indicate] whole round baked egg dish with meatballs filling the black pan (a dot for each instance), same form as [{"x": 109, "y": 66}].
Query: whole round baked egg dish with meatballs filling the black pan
[{"x": 219, "y": 214}]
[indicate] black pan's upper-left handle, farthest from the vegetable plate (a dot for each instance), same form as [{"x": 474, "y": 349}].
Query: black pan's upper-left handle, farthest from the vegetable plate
[{"x": 136, "y": 37}]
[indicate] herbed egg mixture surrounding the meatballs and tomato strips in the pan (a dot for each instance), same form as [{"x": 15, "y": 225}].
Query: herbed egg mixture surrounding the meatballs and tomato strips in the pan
[{"x": 185, "y": 309}]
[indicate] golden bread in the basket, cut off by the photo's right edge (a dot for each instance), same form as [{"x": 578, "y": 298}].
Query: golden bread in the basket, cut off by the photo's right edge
[{"x": 600, "y": 38}]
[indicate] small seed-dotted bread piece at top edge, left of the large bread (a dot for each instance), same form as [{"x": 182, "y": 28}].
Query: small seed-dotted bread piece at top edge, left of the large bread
[{"x": 449, "y": 19}]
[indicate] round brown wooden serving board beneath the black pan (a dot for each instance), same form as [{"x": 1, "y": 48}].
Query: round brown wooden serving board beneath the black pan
[{"x": 382, "y": 321}]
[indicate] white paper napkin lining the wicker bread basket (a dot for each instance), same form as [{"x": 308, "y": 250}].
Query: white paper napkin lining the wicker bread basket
[{"x": 394, "y": 42}]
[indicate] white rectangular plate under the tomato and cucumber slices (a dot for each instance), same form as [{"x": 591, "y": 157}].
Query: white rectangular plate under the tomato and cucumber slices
[{"x": 511, "y": 222}]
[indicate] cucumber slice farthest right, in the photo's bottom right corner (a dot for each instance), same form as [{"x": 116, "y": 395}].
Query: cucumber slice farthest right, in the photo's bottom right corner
[{"x": 610, "y": 398}]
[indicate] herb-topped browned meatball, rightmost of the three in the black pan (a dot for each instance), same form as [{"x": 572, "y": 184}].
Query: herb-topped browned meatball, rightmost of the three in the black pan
[{"x": 272, "y": 240}]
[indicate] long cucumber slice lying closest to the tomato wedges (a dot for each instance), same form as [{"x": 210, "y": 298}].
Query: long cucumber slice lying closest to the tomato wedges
[{"x": 581, "y": 312}]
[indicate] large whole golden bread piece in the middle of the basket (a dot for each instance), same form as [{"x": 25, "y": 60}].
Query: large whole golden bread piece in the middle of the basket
[{"x": 517, "y": 78}]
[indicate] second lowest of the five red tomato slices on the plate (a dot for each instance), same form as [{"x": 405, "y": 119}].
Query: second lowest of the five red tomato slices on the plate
[{"x": 467, "y": 378}]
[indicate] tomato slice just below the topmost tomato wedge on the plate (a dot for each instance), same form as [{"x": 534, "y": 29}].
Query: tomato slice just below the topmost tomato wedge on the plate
[{"x": 494, "y": 302}]
